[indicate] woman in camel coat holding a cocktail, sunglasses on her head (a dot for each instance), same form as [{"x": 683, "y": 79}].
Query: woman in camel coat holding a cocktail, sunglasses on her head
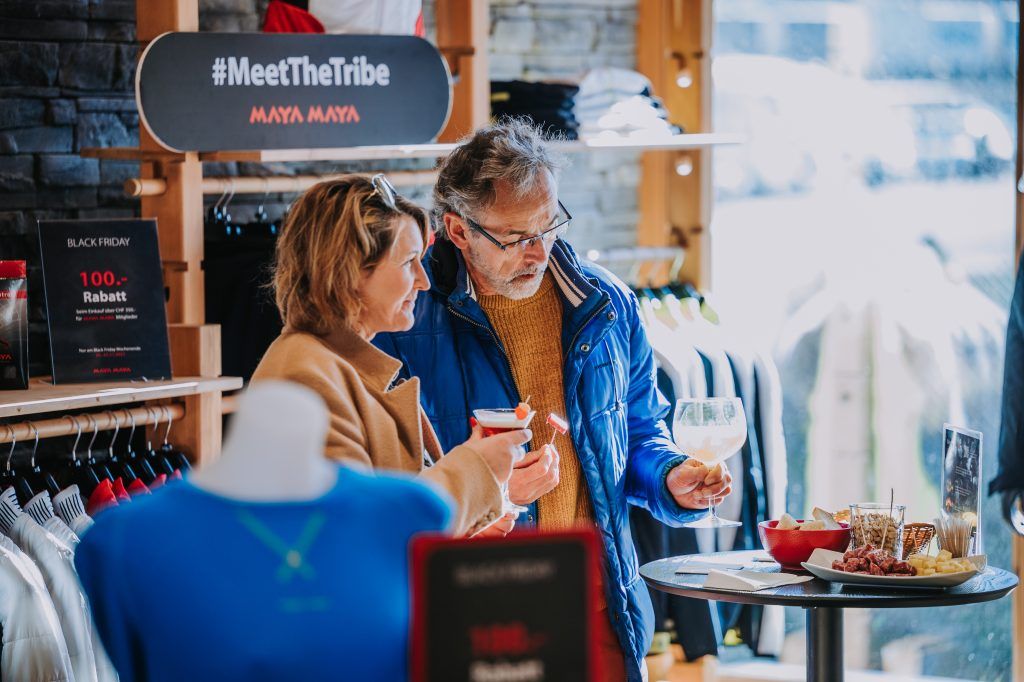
[{"x": 348, "y": 269}]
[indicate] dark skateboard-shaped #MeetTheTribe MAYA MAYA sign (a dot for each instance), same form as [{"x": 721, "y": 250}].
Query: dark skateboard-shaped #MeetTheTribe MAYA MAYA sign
[{"x": 210, "y": 92}]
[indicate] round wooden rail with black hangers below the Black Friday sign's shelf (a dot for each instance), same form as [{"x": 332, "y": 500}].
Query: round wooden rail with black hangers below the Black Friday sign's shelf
[{"x": 92, "y": 422}]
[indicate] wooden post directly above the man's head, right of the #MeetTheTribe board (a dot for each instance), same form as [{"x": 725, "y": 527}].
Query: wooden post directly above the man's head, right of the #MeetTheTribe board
[{"x": 463, "y": 37}]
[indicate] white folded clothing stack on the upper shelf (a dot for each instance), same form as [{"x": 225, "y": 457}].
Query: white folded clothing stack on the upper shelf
[{"x": 614, "y": 104}]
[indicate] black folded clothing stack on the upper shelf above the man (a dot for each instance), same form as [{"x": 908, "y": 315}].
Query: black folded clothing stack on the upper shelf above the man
[{"x": 548, "y": 105}]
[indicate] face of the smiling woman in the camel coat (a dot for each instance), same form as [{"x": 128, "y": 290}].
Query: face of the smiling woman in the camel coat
[{"x": 389, "y": 291}]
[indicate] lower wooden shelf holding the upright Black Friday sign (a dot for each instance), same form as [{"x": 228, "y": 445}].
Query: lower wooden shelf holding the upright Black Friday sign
[{"x": 44, "y": 397}]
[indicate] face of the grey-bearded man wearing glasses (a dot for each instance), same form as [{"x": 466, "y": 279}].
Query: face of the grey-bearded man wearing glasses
[{"x": 516, "y": 273}]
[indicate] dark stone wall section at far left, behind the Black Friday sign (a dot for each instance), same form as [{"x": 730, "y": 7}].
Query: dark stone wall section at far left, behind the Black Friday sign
[{"x": 67, "y": 69}]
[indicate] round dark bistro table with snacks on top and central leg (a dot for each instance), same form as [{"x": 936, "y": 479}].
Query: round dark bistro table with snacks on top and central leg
[{"x": 823, "y": 602}]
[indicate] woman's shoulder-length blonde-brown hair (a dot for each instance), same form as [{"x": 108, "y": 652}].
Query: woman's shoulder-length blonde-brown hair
[{"x": 334, "y": 233}]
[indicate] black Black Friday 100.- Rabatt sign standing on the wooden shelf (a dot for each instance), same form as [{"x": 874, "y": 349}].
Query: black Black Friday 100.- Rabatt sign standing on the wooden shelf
[{"x": 105, "y": 301}]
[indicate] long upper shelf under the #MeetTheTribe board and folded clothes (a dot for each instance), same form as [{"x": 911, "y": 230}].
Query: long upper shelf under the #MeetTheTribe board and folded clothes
[{"x": 690, "y": 142}]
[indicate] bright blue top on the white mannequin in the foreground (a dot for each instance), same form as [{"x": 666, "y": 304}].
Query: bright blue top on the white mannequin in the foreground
[{"x": 273, "y": 591}]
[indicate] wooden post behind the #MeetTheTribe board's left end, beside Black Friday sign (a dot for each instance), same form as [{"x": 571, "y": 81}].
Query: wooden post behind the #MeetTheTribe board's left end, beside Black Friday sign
[{"x": 195, "y": 347}]
